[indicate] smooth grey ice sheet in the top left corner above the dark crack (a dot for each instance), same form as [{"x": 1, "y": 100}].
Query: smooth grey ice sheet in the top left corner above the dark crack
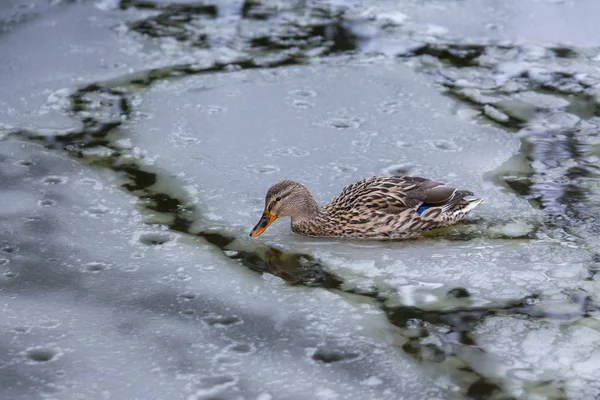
[{"x": 74, "y": 44}]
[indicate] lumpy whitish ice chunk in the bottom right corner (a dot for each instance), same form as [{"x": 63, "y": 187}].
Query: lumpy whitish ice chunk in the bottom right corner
[{"x": 544, "y": 353}]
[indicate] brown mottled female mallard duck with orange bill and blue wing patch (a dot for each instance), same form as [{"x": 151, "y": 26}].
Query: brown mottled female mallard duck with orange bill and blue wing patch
[{"x": 380, "y": 207}]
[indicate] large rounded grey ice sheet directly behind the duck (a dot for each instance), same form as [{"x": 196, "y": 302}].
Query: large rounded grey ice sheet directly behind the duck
[{"x": 353, "y": 128}]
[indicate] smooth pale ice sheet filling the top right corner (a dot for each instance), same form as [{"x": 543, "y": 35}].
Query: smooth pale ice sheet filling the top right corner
[{"x": 528, "y": 21}]
